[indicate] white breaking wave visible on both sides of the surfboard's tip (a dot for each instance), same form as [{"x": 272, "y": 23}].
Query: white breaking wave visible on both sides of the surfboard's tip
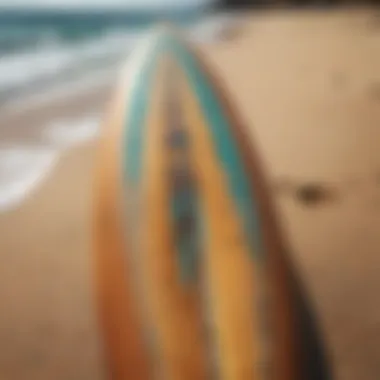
[{"x": 53, "y": 62}]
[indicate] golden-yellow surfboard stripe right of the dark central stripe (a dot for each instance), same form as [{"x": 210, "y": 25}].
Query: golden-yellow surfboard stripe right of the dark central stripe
[{"x": 228, "y": 265}]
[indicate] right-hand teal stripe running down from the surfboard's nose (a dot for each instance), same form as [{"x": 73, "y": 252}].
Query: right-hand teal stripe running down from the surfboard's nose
[{"x": 225, "y": 143}]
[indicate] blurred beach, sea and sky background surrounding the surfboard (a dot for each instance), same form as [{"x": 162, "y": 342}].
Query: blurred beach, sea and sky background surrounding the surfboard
[{"x": 305, "y": 76}]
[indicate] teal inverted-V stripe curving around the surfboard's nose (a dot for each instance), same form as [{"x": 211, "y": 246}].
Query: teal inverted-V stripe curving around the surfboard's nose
[{"x": 219, "y": 127}]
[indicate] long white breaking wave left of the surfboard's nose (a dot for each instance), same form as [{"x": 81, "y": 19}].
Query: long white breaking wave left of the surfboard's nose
[{"x": 19, "y": 71}]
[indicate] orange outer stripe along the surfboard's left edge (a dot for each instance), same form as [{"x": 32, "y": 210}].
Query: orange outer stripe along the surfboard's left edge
[{"x": 120, "y": 323}]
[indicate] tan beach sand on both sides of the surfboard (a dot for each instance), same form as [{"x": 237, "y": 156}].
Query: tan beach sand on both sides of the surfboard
[{"x": 308, "y": 85}]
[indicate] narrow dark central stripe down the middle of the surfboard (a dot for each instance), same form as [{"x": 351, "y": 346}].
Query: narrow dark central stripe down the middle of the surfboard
[{"x": 182, "y": 189}]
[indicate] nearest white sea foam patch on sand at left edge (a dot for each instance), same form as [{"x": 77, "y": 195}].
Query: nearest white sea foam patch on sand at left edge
[{"x": 21, "y": 170}]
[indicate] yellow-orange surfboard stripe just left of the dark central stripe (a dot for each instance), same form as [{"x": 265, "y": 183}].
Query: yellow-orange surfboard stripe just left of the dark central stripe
[{"x": 174, "y": 309}]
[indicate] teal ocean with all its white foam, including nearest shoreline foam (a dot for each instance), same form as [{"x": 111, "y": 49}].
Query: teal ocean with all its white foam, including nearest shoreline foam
[{"x": 48, "y": 54}]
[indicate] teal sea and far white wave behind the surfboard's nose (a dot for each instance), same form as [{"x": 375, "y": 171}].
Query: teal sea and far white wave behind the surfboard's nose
[{"x": 40, "y": 49}]
